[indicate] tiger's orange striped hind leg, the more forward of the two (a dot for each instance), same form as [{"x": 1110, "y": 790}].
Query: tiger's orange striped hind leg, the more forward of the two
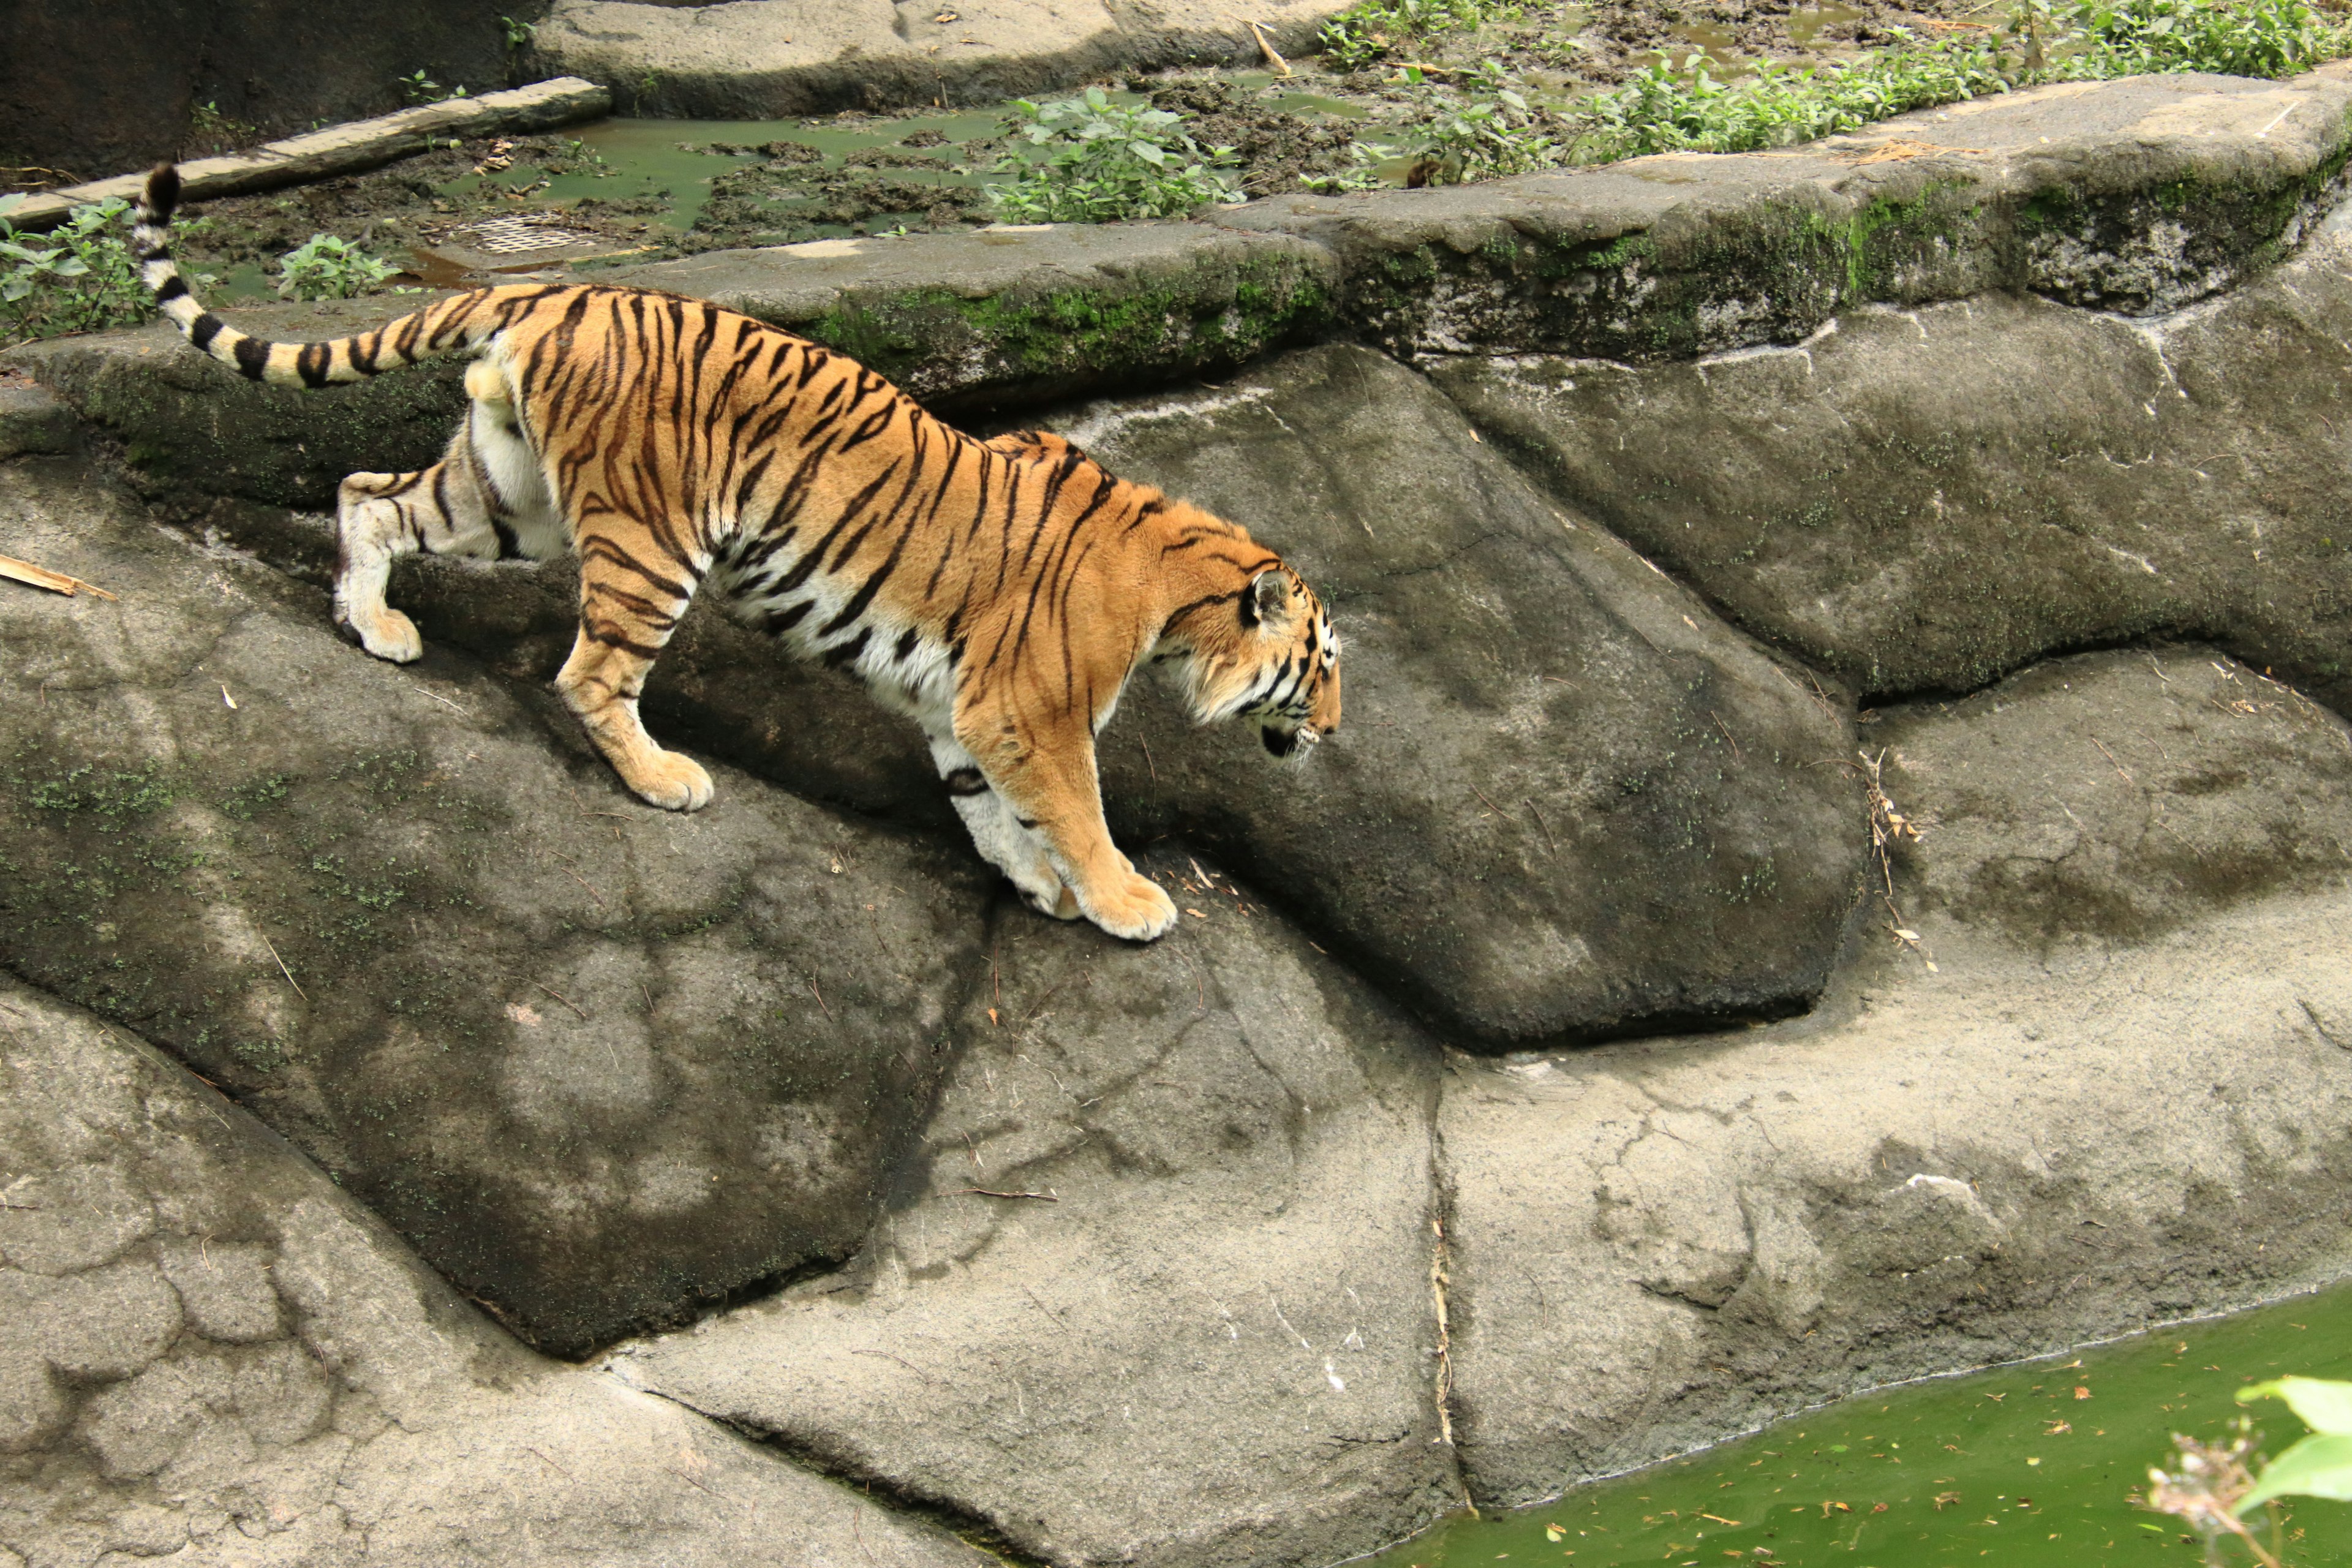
[{"x": 629, "y": 610}]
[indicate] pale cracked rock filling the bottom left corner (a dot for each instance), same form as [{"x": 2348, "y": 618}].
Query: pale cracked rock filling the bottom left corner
[{"x": 213, "y": 1355}]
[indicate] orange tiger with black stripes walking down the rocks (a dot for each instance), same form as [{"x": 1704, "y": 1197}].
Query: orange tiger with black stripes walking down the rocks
[{"x": 1001, "y": 594}]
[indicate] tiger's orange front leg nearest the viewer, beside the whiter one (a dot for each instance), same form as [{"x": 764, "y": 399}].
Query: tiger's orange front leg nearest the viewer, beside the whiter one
[{"x": 1048, "y": 784}]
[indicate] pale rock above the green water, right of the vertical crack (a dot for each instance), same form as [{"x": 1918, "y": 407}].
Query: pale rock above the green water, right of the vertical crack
[{"x": 2052, "y": 1137}]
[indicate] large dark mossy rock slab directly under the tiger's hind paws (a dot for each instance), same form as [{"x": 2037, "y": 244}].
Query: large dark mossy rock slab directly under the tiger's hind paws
[{"x": 603, "y": 1066}]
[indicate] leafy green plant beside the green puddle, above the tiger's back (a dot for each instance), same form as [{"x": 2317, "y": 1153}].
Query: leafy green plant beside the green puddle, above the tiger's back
[{"x": 1093, "y": 161}]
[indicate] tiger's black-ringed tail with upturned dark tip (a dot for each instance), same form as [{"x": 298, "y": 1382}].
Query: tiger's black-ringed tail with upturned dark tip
[{"x": 446, "y": 328}]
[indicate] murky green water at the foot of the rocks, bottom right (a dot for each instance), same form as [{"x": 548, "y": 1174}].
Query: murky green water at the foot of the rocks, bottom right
[{"x": 2031, "y": 1466}]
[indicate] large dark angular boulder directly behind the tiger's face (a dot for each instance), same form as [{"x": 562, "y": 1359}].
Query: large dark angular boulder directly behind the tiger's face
[{"x": 1565, "y": 798}]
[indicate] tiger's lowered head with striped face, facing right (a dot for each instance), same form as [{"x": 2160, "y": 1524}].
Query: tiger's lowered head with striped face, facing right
[{"x": 1274, "y": 659}]
